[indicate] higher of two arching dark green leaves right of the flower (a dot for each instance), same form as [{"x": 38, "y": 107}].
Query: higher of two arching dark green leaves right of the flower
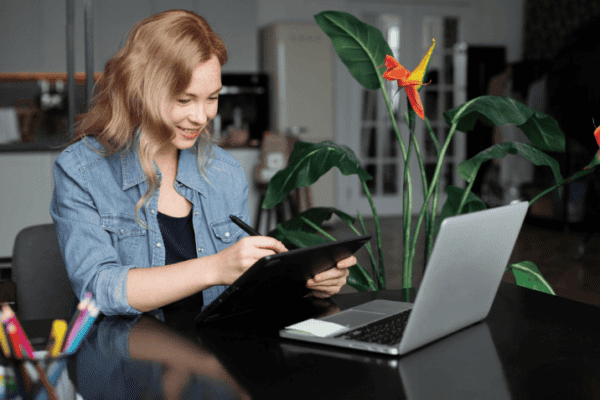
[{"x": 541, "y": 129}]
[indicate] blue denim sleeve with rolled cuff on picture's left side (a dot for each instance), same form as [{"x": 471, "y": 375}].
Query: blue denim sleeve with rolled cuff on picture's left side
[{"x": 91, "y": 260}]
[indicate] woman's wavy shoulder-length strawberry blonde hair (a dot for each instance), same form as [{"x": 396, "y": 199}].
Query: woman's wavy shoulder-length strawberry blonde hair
[{"x": 154, "y": 66}]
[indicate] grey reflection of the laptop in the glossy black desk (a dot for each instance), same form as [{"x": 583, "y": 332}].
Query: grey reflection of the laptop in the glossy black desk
[{"x": 463, "y": 366}]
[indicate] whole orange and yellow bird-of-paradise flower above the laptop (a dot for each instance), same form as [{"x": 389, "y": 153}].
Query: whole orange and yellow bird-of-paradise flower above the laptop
[{"x": 410, "y": 81}]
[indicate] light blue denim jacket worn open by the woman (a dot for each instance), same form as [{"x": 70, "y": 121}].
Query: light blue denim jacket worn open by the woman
[{"x": 93, "y": 208}]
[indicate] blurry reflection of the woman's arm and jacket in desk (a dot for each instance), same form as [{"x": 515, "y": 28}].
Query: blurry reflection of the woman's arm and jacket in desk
[{"x": 142, "y": 358}]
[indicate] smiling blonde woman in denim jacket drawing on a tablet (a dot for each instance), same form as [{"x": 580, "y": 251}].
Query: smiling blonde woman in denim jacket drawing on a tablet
[{"x": 144, "y": 186}]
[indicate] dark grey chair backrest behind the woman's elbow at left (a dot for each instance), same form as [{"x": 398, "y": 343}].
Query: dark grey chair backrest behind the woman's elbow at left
[{"x": 43, "y": 288}]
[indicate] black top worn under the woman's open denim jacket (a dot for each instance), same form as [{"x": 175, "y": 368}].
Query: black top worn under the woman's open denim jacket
[{"x": 180, "y": 245}]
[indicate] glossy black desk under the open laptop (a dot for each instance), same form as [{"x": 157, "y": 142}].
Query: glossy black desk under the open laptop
[{"x": 531, "y": 346}]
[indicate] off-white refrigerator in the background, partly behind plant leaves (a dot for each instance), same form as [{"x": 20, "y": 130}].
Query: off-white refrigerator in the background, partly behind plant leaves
[{"x": 299, "y": 60}]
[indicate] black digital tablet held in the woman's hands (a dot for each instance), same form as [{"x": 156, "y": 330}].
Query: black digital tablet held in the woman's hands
[{"x": 279, "y": 277}]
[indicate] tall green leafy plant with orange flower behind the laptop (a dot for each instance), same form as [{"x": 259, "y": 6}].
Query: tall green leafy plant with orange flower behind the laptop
[{"x": 364, "y": 51}]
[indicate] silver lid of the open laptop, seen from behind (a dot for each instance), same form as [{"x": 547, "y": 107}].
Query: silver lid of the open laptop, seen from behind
[{"x": 463, "y": 274}]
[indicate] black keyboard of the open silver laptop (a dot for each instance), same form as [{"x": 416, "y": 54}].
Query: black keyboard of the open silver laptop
[{"x": 387, "y": 331}]
